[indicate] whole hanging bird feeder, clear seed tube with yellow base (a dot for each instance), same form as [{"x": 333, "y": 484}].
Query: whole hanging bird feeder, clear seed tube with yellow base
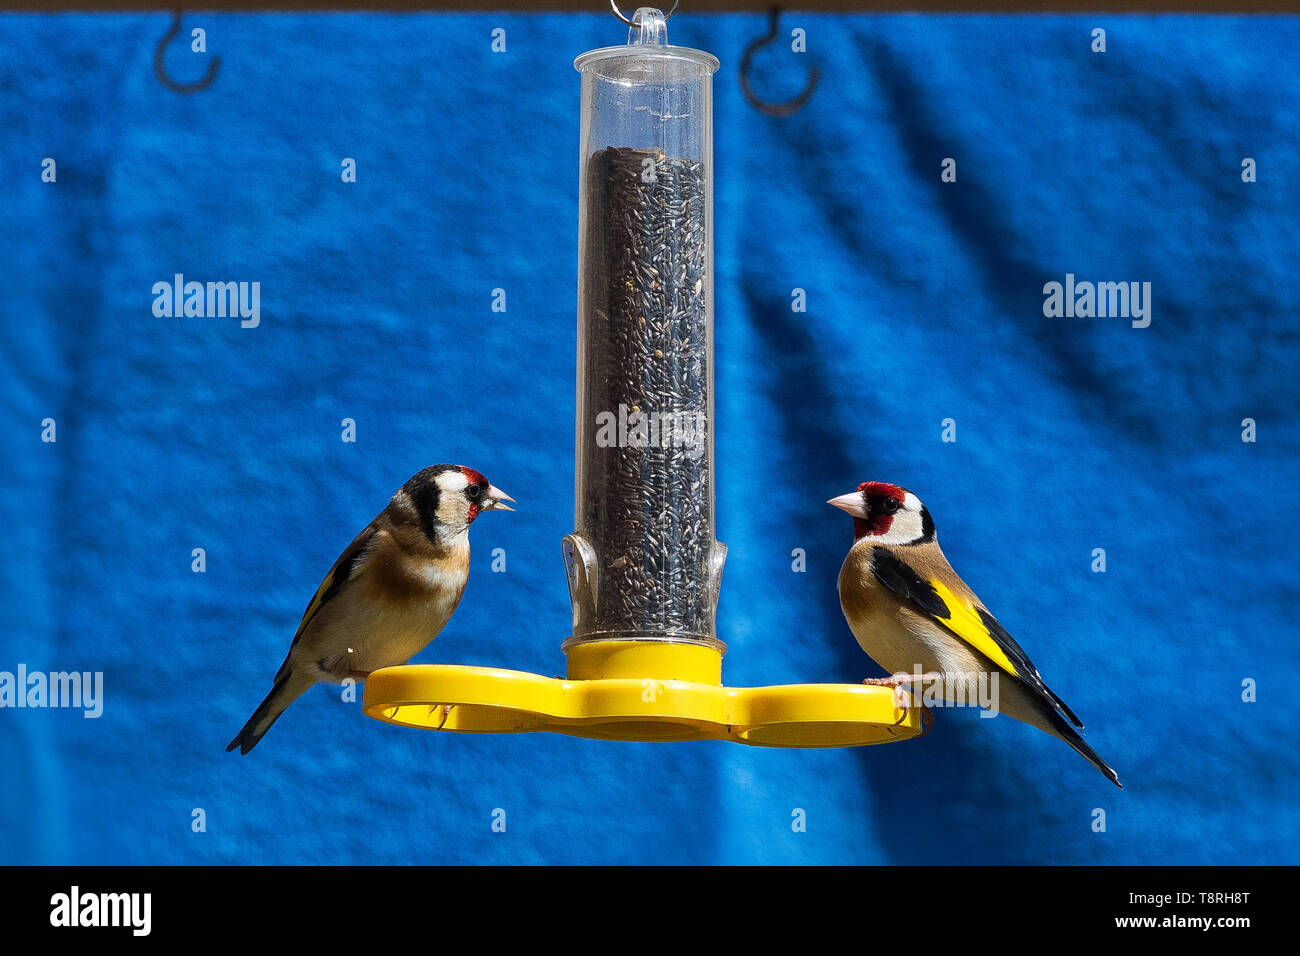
[{"x": 644, "y": 564}]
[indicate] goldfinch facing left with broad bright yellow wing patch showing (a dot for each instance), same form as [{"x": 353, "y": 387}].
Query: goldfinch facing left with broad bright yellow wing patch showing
[{"x": 909, "y": 611}]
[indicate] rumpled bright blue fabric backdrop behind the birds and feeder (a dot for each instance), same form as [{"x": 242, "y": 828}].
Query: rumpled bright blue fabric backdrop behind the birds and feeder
[{"x": 925, "y": 304}]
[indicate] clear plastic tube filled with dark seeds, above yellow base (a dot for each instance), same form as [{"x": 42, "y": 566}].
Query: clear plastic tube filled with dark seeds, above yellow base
[{"x": 643, "y": 560}]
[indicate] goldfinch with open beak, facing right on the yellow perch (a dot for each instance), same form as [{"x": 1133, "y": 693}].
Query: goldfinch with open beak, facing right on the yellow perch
[{"x": 389, "y": 594}]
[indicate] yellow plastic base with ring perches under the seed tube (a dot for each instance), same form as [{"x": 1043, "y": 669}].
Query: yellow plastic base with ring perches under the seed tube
[{"x": 638, "y": 691}]
